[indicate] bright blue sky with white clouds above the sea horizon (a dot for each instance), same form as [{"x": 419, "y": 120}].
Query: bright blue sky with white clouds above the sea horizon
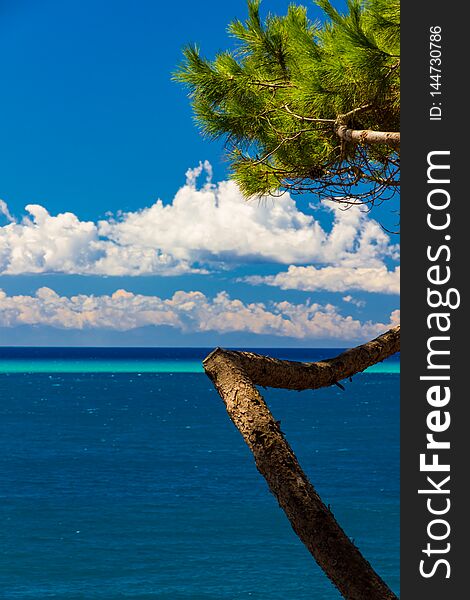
[{"x": 94, "y": 132}]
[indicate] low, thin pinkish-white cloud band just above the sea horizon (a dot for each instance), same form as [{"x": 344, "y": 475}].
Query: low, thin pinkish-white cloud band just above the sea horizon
[{"x": 186, "y": 311}]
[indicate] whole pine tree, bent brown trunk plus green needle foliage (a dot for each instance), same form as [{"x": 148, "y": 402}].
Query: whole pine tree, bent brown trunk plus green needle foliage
[{"x": 302, "y": 107}]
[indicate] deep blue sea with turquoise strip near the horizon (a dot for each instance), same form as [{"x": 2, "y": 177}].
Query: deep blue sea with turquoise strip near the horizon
[{"x": 123, "y": 477}]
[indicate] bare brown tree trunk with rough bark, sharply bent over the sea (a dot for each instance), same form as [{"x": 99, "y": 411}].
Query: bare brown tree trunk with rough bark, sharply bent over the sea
[{"x": 235, "y": 375}]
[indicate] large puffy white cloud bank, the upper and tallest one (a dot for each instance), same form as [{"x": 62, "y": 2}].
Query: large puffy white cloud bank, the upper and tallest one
[{"x": 202, "y": 229}]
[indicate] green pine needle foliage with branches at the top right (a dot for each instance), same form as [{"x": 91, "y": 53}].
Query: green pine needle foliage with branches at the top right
[{"x": 296, "y": 100}]
